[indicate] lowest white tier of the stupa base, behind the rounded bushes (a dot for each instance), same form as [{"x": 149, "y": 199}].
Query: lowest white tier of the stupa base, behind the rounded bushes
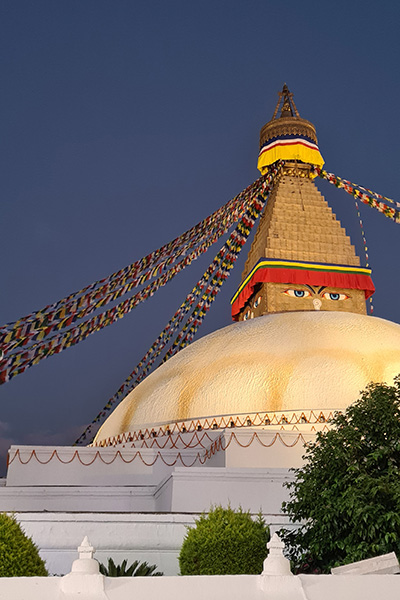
[{"x": 156, "y": 538}]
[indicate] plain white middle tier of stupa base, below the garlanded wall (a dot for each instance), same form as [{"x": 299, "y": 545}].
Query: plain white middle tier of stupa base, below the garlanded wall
[{"x": 182, "y": 490}]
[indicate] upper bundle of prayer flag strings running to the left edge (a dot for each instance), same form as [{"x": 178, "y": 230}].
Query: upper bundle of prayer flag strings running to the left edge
[{"x": 27, "y": 343}]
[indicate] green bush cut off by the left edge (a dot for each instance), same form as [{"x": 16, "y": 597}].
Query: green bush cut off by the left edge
[{"x": 19, "y": 556}]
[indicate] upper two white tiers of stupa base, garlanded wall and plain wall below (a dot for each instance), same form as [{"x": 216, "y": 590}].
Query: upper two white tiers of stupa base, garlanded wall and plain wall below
[{"x": 245, "y": 467}]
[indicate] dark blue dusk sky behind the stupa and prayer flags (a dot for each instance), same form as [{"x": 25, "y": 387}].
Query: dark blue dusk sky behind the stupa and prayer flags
[{"x": 124, "y": 123}]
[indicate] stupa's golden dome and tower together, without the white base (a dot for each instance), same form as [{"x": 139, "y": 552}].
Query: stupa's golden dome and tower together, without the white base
[{"x": 303, "y": 341}]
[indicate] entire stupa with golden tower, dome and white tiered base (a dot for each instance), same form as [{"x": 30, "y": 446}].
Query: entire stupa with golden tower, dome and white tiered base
[{"x": 224, "y": 419}]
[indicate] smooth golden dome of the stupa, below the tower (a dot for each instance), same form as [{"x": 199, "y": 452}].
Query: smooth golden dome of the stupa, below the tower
[{"x": 283, "y": 361}]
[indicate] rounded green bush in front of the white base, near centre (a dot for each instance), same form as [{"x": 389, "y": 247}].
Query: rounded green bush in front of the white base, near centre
[{"x": 224, "y": 542}]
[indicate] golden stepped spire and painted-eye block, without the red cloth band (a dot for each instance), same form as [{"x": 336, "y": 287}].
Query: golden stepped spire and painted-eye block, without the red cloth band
[{"x": 298, "y": 224}]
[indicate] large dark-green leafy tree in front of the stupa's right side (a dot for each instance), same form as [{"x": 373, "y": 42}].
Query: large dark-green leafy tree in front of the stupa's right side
[{"x": 347, "y": 495}]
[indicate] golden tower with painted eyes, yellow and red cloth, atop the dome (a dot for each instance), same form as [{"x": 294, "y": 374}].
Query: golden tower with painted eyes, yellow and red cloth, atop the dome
[{"x": 301, "y": 258}]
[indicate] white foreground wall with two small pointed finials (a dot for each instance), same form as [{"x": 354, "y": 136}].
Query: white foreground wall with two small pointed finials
[{"x": 276, "y": 582}]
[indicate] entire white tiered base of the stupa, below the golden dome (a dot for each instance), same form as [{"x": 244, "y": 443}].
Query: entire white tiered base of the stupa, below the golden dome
[{"x": 135, "y": 503}]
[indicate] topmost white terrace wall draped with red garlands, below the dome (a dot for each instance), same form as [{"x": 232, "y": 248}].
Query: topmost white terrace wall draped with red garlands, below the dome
[{"x": 143, "y": 468}]
